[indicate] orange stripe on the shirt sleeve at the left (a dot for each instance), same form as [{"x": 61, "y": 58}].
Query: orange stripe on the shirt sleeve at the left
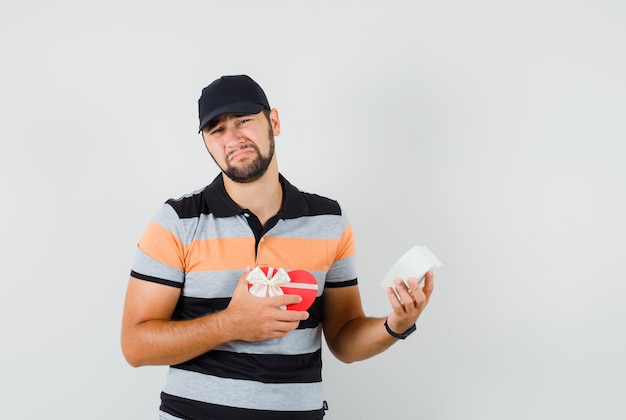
[{"x": 162, "y": 245}]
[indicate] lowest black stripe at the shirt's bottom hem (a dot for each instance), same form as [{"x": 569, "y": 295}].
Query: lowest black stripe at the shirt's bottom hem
[{"x": 196, "y": 410}]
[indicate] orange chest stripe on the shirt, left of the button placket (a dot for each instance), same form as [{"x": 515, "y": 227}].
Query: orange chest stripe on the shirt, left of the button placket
[{"x": 220, "y": 254}]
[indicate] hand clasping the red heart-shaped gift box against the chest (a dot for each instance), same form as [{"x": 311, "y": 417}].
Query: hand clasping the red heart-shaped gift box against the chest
[{"x": 253, "y": 318}]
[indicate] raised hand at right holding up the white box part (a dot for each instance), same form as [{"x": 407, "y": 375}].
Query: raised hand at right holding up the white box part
[{"x": 409, "y": 302}]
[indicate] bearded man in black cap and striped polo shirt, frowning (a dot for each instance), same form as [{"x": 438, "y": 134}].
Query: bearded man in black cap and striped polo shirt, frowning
[{"x": 234, "y": 355}]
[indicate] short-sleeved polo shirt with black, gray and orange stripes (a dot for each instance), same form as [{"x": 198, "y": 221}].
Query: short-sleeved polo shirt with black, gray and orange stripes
[{"x": 202, "y": 243}]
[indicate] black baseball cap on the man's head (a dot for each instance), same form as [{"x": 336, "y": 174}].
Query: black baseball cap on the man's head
[{"x": 230, "y": 94}]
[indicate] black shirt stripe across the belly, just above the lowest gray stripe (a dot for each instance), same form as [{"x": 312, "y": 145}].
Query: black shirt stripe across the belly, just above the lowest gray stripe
[{"x": 266, "y": 368}]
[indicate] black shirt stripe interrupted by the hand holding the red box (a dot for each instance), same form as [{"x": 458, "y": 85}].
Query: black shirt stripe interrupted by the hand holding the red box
[{"x": 191, "y": 308}]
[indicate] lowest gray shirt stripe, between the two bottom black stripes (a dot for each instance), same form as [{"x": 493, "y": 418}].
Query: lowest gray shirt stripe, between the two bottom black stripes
[{"x": 243, "y": 394}]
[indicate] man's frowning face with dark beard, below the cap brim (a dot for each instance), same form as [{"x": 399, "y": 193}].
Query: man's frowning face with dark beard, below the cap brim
[{"x": 242, "y": 145}]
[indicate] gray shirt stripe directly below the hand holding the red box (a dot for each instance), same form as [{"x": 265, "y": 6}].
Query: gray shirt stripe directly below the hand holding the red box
[{"x": 296, "y": 342}]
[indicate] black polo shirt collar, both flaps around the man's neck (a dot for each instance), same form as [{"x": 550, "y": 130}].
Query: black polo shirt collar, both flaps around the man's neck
[{"x": 222, "y": 205}]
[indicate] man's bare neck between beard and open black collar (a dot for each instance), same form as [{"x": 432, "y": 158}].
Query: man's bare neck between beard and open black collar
[{"x": 262, "y": 197}]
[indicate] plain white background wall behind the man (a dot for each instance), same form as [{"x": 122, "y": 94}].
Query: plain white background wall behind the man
[{"x": 493, "y": 132}]
